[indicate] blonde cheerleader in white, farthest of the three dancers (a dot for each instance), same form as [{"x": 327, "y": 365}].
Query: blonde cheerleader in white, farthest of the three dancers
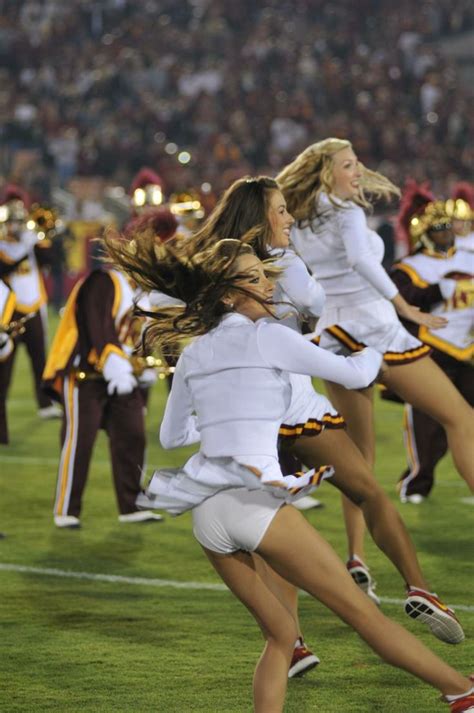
[{"x": 324, "y": 189}]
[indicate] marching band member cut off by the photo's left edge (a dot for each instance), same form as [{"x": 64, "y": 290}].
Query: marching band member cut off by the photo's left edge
[{"x": 19, "y": 266}]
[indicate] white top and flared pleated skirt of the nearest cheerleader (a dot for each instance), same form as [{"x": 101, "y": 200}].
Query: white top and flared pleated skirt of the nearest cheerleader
[{"x": 231, "y": 390}]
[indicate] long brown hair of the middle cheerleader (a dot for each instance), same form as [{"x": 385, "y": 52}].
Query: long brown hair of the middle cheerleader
[{"x": 242, "y": 208}]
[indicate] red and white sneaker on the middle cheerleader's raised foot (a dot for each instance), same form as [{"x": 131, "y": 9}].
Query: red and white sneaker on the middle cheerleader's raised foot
[{"x": 427, "y": 608}]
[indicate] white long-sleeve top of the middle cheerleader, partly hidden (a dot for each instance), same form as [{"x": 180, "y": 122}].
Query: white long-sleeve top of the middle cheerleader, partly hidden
[{"x": 295, "y": 287}]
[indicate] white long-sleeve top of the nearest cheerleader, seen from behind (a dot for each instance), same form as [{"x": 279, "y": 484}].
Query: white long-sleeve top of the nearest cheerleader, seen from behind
[{"x": 236, "y": 380}]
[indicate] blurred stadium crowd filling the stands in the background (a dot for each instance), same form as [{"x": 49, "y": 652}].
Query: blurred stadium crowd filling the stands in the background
[{"x": 208, "y": 90}]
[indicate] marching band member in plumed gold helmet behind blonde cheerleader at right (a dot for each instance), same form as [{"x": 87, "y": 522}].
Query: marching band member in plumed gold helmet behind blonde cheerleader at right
[{"x": 437, "y": 277}]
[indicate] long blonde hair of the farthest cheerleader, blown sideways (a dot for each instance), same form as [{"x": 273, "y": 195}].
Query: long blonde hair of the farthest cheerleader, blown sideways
[{"x": 310, "y": 174}]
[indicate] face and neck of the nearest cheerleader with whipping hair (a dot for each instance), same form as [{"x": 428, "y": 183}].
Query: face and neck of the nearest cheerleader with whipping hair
[{"x": 257, "y": 283}]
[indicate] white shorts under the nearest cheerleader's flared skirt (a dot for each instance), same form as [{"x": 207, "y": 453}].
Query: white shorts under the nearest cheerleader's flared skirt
[{"x": 234, "y": 519}]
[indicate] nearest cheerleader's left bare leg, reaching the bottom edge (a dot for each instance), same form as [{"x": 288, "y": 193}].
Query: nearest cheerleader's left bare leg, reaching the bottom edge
[{"x": 239, "y": 572}]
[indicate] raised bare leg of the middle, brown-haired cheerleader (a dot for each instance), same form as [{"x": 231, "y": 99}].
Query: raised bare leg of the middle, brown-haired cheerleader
[{"x": 355, "y": 479}]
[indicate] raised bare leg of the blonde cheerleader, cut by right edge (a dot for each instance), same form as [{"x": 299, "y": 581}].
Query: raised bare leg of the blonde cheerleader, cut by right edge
[{"x": 424, "y": 385}]
